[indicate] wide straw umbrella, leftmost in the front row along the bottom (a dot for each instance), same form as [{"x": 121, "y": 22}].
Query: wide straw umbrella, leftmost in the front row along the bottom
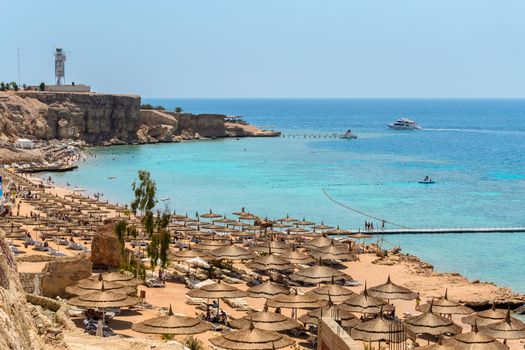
[{"x": 171, "y": 324}]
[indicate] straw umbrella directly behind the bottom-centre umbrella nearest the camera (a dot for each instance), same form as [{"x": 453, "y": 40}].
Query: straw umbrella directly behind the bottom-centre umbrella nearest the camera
[{"x": 267, "y": 321}]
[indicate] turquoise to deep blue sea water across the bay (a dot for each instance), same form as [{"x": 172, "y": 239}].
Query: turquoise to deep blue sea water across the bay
[{"x": 474, "y": 149}]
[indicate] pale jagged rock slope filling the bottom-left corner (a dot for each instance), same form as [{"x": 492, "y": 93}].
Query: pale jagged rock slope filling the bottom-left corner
[{"x": 17, "y": 327}]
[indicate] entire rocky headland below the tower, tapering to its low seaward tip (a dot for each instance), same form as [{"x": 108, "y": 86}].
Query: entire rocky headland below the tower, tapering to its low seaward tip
[{"x": 105, "y": 119}]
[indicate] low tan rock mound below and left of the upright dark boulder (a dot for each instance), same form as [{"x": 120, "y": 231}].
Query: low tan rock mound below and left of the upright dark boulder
[{"x": 63, "y": 272}]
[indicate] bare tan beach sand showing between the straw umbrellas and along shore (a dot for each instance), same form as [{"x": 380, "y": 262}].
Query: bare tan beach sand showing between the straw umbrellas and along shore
[{"x": 407, "y": 271}]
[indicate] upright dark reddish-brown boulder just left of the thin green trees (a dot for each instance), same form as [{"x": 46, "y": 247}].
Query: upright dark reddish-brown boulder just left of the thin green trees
[{"x": 105, "y": 248}]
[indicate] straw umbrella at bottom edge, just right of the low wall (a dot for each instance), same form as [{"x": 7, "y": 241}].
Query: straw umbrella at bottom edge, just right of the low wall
[{"x": 379, "y": 329}]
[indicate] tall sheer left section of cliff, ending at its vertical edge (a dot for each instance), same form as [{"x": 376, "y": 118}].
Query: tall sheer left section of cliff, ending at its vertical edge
[{"x": 94, "y": 118}]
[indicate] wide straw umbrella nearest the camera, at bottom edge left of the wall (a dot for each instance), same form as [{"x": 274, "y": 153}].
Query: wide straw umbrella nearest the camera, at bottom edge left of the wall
[{"x": 252, "y": 339}]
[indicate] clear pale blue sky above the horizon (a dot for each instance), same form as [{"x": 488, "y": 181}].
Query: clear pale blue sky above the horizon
[{"x": 272, "y": 48}]
